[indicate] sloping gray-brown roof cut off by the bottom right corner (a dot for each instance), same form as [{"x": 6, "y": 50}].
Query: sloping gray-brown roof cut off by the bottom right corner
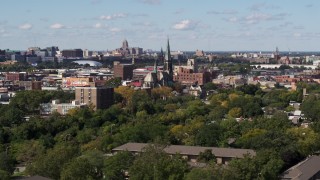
[{"x": 303, "y": 170}]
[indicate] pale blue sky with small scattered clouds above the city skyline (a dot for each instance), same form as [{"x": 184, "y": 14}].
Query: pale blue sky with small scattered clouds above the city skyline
[{"x": 209, "y": 25}]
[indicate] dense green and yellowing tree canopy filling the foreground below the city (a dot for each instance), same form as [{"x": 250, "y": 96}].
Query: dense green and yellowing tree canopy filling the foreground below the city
[{"x": 76, "y": 146}]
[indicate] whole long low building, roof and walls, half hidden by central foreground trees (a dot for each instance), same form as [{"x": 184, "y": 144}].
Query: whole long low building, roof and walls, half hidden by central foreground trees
[{"x": 191, "y": 153}]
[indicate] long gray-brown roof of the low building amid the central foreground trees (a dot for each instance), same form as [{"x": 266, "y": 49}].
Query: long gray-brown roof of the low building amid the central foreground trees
[{"x": 189, "y": 150}]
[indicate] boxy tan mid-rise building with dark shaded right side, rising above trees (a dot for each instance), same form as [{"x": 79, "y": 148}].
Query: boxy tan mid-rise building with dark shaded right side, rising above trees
[{"x": 99, "y": 97}]
